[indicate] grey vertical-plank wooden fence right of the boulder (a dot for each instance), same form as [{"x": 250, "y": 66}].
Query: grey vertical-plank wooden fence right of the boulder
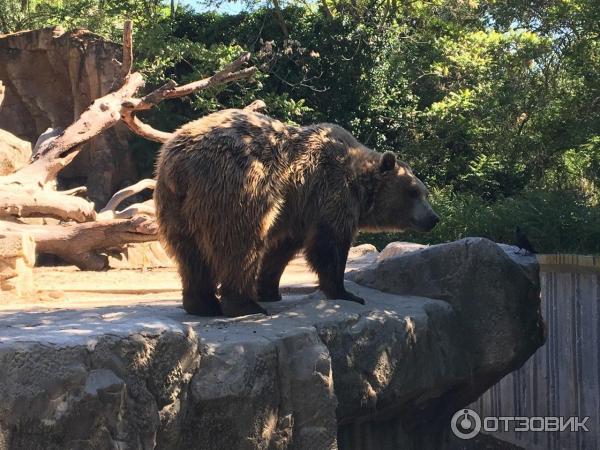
[{"x": 563, "y": 377}]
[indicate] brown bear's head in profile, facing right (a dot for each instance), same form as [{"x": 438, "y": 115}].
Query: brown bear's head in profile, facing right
[{"x": 399, "y": 199}]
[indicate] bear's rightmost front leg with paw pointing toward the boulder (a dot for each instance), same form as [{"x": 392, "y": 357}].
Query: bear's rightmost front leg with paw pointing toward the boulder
[{"x": 327, "y": 255}]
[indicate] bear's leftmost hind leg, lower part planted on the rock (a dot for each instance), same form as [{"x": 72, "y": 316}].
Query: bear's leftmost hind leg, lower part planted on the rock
[{"x": 199, "y": 287}]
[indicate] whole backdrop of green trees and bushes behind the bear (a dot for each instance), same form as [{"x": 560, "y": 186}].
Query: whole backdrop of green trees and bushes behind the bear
[{"x": 493, "y": 103}]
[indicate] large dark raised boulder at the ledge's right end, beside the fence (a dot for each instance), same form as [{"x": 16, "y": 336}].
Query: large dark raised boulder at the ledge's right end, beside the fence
[{"x": 494, "y": 295}]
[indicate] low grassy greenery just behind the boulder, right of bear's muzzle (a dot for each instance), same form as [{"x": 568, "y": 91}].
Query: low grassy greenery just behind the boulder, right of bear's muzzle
[{"x": 555, "y": 221}]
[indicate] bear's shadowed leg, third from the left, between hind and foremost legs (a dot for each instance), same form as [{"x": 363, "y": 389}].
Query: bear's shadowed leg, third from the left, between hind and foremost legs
[{"x": 273, "y": 264}]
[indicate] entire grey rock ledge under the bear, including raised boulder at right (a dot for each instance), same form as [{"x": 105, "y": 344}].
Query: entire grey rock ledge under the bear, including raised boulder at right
[{"x": 315, "y": 374}]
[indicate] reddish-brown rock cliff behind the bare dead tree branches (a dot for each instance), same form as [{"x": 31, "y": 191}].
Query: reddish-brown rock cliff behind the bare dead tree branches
[{"x": 50, "y": 77}]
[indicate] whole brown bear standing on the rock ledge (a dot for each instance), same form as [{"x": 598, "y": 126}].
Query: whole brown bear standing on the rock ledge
[{"x": 238, "y": 194}]
